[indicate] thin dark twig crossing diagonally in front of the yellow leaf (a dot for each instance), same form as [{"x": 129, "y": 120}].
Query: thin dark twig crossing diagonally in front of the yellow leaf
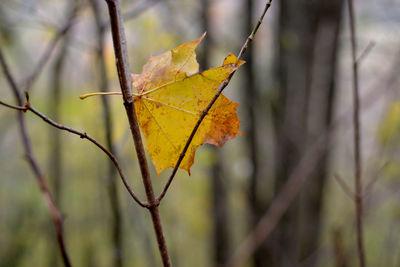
[{"x": 207, "y": 109}]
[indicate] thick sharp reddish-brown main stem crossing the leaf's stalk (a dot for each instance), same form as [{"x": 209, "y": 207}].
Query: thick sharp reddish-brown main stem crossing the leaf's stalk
[{"x": 121, "y": 55}]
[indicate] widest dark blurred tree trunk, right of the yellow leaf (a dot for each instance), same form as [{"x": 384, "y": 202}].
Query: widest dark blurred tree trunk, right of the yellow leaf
[{"x": 307, "y": 39}]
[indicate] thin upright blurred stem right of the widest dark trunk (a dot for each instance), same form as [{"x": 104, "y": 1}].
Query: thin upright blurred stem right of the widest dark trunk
[{"x": 357, "y": 138}]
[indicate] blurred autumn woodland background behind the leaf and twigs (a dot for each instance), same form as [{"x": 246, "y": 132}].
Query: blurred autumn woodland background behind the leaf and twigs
[{"x": 294, "y": 90}]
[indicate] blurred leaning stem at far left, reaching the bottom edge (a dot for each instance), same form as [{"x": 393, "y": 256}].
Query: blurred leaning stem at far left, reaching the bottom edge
[{"x": 55, "y": 214}]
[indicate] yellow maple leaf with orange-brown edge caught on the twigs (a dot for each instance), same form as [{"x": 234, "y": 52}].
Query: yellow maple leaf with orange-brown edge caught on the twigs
[{"x": 171, "y": 96}]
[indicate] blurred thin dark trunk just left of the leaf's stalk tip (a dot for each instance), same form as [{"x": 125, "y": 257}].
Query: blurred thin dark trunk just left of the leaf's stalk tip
[{"x": 112, "y": 186}]
